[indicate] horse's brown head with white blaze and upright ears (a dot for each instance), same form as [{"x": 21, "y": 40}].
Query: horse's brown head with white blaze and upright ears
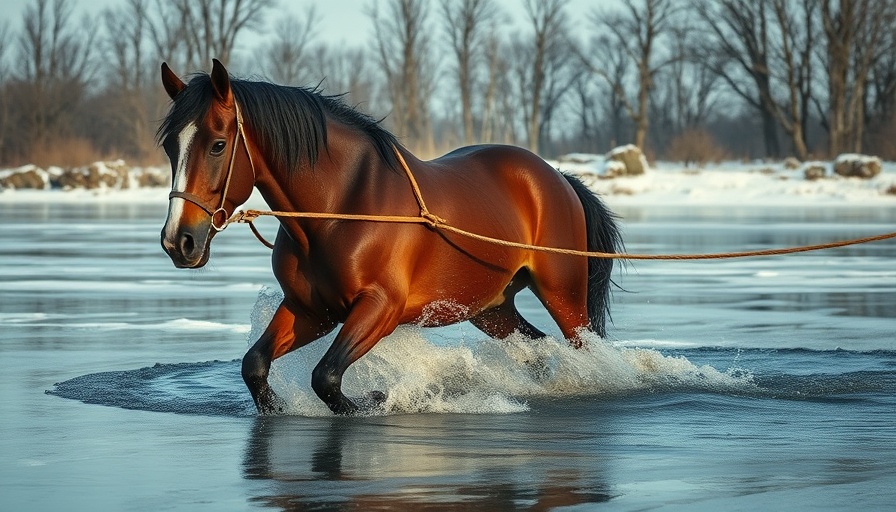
[{"x": 212, "y": 173}]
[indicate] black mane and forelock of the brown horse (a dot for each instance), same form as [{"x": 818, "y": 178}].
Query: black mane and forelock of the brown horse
[{"x": 289, "y": 122}]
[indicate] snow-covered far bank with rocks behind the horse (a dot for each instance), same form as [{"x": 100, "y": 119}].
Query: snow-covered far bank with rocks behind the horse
[{"x": 734, "y": 183}]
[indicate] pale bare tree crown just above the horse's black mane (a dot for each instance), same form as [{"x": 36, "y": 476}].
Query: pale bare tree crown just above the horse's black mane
[{"x": 286, "y": 58}]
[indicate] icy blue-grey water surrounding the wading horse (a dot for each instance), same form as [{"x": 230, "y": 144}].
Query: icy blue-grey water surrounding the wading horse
[{"x": 739, "y": 385}]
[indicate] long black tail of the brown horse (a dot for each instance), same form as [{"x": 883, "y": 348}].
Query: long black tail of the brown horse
[{"x": 603, "y": 236}]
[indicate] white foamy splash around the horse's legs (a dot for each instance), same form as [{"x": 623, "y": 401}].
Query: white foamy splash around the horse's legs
[{"x": 486, "y": 375}]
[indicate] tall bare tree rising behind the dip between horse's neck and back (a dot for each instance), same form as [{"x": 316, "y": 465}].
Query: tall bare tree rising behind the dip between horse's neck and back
[{"x": 403, "y": 44}]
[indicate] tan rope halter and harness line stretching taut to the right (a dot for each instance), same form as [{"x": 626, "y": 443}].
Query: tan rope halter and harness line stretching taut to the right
[{"x": 435, "y": 222}]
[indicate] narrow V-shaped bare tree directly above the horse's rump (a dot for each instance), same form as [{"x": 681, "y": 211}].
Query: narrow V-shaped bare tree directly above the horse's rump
[{"x": 468, "y": 24}]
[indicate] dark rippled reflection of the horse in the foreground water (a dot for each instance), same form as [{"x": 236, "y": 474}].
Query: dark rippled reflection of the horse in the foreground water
[{"x": 435, "y": 462}]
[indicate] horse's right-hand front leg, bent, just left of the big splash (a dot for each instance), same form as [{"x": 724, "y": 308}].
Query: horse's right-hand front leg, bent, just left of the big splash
[{"x": 371, "y": 318}]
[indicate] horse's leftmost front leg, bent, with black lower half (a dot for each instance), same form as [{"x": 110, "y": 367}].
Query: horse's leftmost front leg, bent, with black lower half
[{"x": 286, "y": 332}]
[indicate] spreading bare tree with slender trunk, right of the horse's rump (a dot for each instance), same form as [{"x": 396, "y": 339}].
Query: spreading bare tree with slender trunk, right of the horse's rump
[{"x": 635, "y": 33}]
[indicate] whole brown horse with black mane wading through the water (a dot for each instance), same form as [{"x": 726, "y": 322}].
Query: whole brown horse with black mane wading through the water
[{"x": 308, "y": 152}]
